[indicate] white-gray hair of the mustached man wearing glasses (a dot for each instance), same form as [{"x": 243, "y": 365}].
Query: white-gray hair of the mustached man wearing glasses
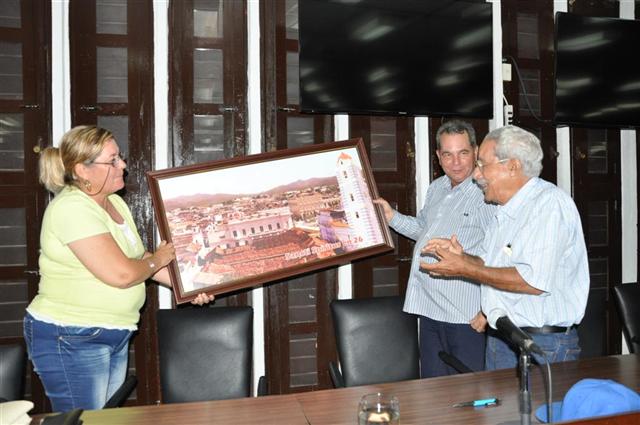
[{"x": 514, "y": 142}]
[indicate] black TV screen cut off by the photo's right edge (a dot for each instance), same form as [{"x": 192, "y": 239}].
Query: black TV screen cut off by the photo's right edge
[{"x": 597, "y": 71}]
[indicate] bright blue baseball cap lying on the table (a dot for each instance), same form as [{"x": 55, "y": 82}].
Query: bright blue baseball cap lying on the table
[{"x": 592, "y": 397}]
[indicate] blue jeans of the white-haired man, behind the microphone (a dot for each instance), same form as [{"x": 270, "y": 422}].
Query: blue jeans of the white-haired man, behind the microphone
[{"x": 558, "y": 347}]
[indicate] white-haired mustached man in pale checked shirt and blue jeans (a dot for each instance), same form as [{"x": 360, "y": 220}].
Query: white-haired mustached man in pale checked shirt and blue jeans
[{"x": 533, "y": 262}]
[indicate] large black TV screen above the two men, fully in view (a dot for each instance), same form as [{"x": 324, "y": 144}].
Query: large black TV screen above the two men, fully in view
[{"x": 390, "y": 57}]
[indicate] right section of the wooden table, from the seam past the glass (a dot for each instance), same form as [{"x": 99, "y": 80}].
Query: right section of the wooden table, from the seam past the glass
[{"x": 431, "y": 400}]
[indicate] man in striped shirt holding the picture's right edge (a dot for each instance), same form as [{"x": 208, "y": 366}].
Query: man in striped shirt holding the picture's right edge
[{"x": 449, "y": 310}]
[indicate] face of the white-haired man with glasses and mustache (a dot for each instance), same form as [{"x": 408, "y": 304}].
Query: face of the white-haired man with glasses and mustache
[{"x": 491, "y": 173}]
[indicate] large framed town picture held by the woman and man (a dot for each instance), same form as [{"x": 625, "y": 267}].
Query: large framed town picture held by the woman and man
[{"x": 245, "y": 221}]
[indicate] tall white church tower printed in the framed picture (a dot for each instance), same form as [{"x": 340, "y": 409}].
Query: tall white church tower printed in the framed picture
[{"x": 357, "y": 204}]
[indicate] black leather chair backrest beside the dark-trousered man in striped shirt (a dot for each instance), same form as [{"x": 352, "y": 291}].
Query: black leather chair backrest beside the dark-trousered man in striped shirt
[{"x": 377, "y": 342}]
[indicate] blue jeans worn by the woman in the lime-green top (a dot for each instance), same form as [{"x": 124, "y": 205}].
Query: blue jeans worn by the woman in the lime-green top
[{"x": 79, "y": 367}]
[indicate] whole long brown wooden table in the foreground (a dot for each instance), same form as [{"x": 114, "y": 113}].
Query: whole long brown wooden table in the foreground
[{"x": 423, "y": 401}]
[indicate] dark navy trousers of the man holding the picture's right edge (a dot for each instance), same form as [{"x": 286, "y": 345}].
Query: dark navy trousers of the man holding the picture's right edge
[{"x": 459, "y": 340}]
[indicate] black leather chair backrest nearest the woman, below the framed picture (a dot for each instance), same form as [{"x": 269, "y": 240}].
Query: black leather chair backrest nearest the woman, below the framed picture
[{"x": 205, "y": 353}]
